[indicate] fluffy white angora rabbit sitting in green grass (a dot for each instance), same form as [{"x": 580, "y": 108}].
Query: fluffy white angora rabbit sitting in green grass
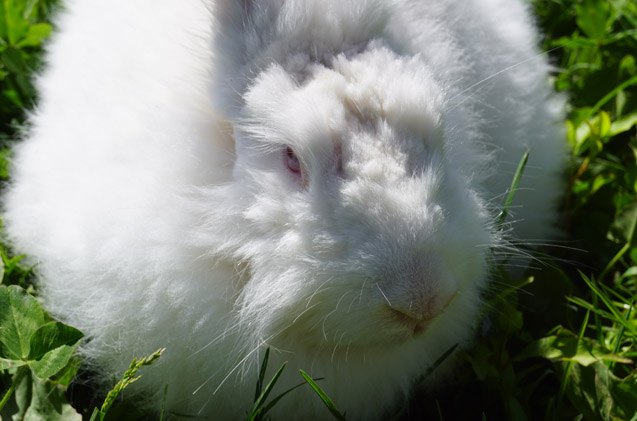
[{"x": 317, "y": 177}]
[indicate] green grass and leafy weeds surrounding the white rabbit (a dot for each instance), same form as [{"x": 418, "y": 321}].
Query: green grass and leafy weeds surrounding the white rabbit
[{"x": 561, "y": 342}]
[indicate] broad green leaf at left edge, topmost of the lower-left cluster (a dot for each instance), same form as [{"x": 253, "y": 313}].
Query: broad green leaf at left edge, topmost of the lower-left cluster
[{"x": 22, "y": 315}]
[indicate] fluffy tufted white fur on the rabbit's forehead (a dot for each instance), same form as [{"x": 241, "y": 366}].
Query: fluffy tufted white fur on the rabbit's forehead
[{"x": 377, "y": 110}]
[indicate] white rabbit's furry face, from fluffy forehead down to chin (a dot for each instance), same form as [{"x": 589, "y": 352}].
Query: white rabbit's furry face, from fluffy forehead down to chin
[{"x": 377, "y": 221}]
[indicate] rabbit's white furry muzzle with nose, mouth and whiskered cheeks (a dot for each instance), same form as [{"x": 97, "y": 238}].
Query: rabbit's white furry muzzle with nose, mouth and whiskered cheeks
[{"x": 360, "y": 286}]
